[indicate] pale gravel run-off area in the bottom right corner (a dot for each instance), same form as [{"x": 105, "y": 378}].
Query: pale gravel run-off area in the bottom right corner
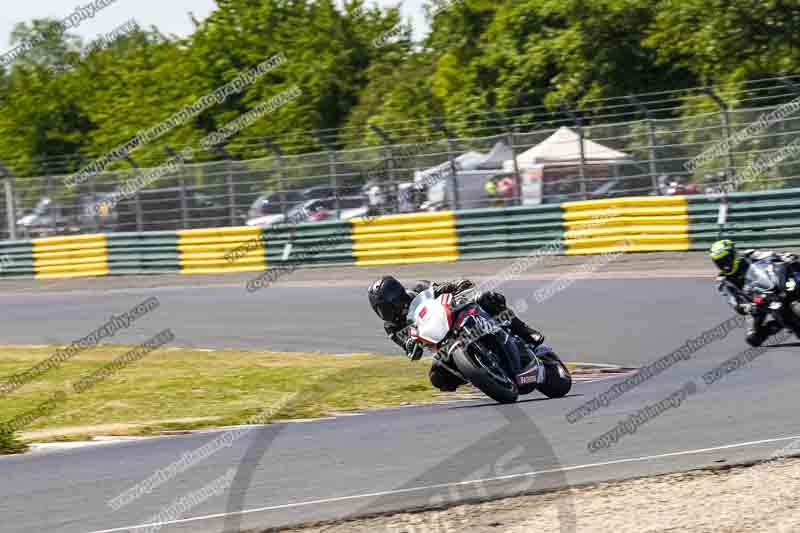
[{"x": 741, "y": 499}]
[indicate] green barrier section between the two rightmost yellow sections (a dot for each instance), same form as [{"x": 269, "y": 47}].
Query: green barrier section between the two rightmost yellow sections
[{"x": 497, "y": 233}]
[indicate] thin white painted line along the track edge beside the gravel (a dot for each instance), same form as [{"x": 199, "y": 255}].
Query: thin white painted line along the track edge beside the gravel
[{"x": 448, "y": 485}]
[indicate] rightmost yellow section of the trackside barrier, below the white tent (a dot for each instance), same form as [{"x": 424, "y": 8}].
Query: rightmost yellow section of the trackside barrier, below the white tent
[{"x": 633, "y": 224}]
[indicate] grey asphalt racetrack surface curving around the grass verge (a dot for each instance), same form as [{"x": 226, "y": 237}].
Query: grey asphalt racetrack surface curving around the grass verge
[{"x": 402, "y": 458}]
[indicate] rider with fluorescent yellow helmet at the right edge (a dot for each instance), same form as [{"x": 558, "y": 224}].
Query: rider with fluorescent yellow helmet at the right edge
[{"x": 733, "y": 270}]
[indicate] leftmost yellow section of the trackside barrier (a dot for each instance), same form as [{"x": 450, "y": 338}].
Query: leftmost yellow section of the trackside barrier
[{"x": 69, "y": 257}]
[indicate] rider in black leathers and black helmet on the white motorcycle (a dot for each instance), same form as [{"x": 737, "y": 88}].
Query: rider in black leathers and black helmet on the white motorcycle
[{"x": 390, "y": 301}]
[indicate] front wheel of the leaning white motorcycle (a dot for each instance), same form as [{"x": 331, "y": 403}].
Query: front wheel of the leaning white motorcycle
[{"x": 483, "y": 369}]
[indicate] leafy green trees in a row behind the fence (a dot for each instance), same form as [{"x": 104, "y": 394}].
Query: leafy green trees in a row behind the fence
[{"x": 481, "y": 55}]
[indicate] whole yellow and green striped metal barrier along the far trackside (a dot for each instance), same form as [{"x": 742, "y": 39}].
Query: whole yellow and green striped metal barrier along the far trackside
[{"x": 755, "y": 220}]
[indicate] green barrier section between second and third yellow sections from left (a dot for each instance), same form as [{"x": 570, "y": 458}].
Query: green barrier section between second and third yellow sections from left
[{"x": 312, "y": 244}]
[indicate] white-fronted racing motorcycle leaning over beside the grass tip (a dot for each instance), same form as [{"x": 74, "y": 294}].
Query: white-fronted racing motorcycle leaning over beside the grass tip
[{"x": 474, "y": 346}]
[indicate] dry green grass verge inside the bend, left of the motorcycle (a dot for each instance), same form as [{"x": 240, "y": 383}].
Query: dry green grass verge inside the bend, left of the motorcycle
[{"x": 180, "y": 389}]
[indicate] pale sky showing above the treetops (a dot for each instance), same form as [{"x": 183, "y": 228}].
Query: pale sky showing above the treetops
[{"x": 170, "y": 16}]
